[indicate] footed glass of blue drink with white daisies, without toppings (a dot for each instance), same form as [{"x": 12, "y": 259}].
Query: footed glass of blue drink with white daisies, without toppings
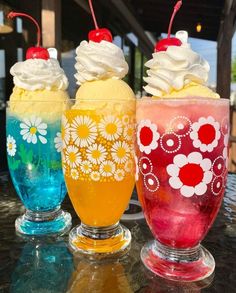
[{"x": 34, "y": 160}]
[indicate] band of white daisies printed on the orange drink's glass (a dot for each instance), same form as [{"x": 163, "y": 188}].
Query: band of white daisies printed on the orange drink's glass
[{"x": 102, "y": 145}]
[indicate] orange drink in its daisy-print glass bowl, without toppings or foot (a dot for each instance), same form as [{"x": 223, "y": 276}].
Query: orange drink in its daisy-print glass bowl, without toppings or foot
[{"x": 104, "y": 160}]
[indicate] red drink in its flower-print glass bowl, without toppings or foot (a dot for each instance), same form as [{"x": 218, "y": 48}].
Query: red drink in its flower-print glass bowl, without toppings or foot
[{"x": 182, "y": 159}]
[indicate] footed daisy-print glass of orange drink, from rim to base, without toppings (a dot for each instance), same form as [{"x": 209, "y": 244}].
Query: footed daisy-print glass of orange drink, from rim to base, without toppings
[{"x": 98, "y": 162}]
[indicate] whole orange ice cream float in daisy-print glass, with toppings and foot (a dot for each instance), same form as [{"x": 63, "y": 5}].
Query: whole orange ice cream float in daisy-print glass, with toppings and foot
[{"x": 98, "y": 150}]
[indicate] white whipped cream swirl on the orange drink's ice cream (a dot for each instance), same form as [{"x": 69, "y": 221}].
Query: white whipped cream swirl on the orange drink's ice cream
[{"x": 96, "y": 61}]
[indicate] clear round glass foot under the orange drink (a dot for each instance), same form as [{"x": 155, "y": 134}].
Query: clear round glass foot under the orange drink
[{"x": 100, "y": 242}]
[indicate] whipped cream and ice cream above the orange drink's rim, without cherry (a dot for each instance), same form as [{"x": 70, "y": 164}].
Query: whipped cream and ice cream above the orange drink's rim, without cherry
[{"x": 100, "y": 68}]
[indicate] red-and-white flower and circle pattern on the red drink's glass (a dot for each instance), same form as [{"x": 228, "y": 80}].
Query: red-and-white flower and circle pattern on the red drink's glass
[{"x": 191, "y": 173}]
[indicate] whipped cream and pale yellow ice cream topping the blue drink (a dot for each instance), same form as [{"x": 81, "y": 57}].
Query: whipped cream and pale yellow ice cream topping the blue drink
[{"x": 38, "y": 80}]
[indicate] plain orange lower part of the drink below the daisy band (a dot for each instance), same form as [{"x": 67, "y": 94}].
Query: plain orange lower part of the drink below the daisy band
[{"x": 103, "y": 208}]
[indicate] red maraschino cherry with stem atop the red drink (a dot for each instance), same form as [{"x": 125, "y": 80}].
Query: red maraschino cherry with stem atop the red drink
[{"x": 163, "y": 44}]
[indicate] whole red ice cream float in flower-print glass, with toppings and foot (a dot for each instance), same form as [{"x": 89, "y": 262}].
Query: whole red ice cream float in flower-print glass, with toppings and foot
[{"x": 182, "y": 141}]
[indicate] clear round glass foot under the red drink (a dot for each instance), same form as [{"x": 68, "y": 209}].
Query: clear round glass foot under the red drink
[{"x": 186, "y": 265}]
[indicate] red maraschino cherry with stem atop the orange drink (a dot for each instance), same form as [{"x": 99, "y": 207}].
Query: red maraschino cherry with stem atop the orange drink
[{"x": 99, "y": 34}]
